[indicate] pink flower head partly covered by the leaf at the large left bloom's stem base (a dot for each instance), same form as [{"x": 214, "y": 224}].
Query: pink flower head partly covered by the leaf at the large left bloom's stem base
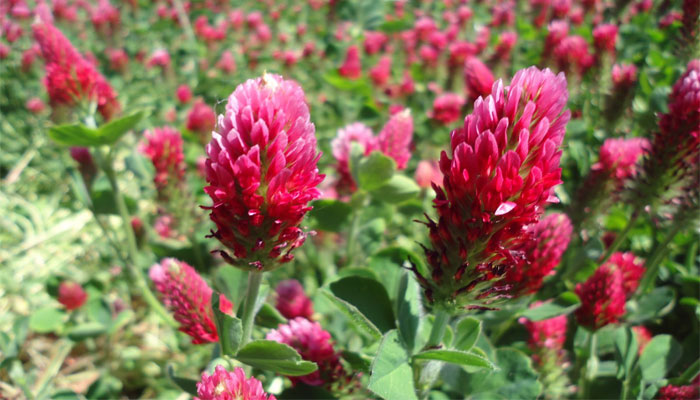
[{"x": 313, "y": 344}]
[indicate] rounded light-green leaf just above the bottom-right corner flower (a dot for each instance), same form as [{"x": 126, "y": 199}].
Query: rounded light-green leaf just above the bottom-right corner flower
[{"x": 658, "y": 357}]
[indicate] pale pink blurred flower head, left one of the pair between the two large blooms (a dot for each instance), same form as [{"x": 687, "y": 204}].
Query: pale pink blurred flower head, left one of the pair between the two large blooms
[{"x": 341, "y": 147}]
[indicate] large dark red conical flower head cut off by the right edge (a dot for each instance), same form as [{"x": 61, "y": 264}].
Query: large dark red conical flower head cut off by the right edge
[{"x": 675, "y": 149}]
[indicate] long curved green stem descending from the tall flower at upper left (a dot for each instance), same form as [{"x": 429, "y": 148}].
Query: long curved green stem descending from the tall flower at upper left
[{"x": 136, "y": 272}]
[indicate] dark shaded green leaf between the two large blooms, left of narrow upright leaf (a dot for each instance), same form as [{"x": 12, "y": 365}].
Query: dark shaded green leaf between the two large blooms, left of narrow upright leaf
[{"x": 370, "y": 298}]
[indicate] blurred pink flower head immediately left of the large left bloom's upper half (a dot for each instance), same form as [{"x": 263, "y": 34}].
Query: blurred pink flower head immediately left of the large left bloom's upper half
[{"x": 163, "y": 146}]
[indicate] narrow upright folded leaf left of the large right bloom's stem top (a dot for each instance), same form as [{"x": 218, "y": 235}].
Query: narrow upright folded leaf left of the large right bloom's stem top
[{"x": 409, "y": 310}]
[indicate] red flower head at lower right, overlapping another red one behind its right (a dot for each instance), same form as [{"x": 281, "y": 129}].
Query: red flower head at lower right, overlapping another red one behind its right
[{"x": 602, "y": 298}]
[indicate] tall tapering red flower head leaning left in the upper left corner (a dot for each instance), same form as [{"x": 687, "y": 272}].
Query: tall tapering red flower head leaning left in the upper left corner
[{"x": 70, "y": 79}]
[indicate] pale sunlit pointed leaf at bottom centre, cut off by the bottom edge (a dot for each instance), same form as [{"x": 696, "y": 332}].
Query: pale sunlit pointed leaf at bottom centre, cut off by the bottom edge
[{"x": 392, "y": 376}]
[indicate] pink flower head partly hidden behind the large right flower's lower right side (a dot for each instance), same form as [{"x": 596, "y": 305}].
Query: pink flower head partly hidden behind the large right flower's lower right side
[{"x": 548, "y": 241}]
